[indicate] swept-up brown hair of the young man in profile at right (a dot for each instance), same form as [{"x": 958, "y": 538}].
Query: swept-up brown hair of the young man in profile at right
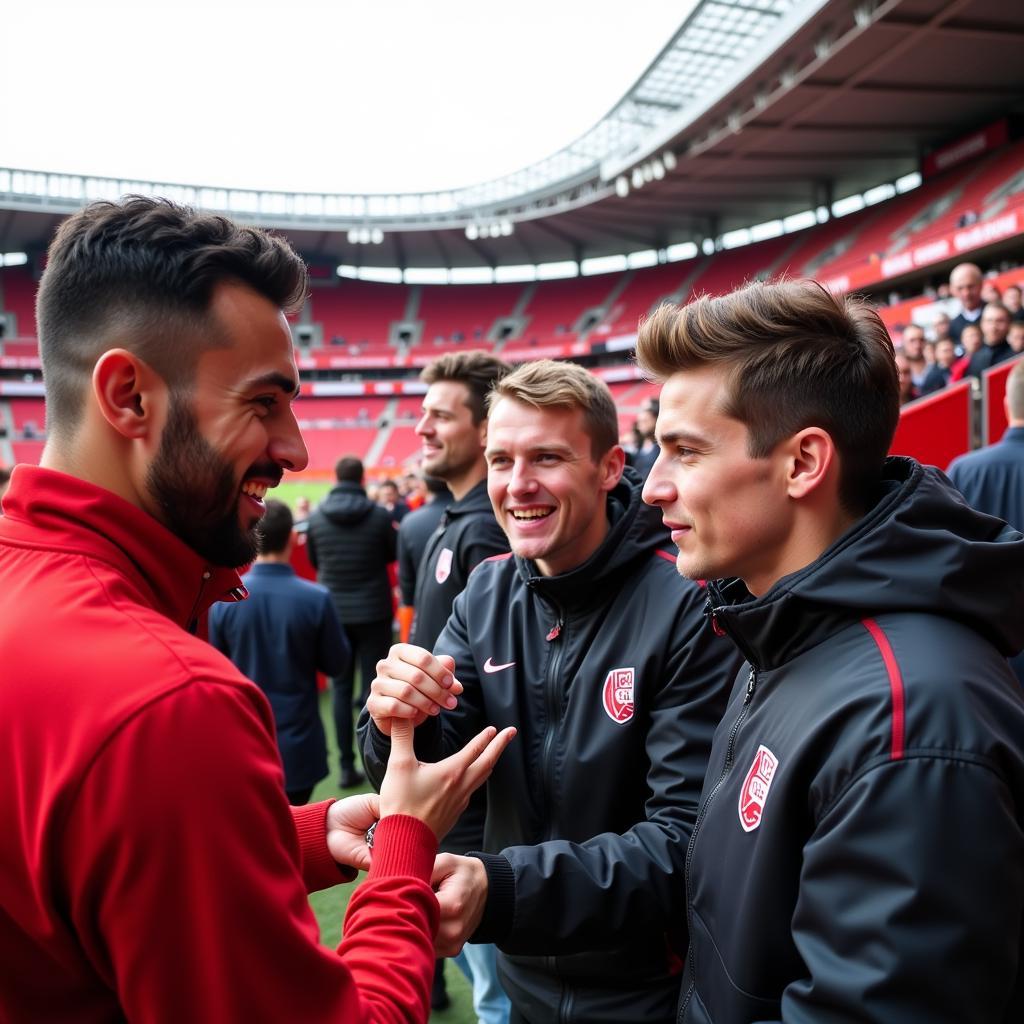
[{"x": 796, "y": 357}]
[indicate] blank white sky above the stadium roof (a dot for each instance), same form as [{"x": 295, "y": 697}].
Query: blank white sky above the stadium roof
[{"x": 312, "y": 95}]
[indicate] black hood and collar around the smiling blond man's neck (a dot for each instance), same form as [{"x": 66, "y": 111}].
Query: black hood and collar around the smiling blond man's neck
[{"x": 635, "y": 531}]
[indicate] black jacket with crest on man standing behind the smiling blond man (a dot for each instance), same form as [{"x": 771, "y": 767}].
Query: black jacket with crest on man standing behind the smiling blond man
[{"x": 466, "y": 536}]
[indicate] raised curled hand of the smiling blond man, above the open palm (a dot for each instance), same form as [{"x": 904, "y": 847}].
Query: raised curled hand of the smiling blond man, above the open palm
[{"x": 412, "y": 685}]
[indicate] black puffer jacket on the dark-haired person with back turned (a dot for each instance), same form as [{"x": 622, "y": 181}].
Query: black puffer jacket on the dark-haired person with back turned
[{"x": 351, "y": 541}]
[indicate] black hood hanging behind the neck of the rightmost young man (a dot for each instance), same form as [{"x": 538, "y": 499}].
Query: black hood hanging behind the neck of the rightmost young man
[{"x": 920, "y": 549}]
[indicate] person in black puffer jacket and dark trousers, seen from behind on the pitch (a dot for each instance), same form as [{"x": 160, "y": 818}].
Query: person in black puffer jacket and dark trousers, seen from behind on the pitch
[{"x": 352, "y": 541}]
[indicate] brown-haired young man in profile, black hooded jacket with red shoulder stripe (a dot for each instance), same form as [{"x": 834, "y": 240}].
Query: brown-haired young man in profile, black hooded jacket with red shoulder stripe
[{"x": 860, "y": 851}]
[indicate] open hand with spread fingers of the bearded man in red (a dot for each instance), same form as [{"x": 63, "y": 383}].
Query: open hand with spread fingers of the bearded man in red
[{"x": 438, "y": 793}]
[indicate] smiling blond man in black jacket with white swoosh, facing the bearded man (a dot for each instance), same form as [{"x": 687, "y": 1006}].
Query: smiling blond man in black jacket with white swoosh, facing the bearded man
[{"x": 590, "y": 644}]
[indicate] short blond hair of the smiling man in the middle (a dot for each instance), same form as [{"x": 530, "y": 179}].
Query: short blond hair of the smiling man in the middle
[{"x": 546, "y": 385}]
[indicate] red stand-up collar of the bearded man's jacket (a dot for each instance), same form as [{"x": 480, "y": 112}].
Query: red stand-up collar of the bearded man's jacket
[{"x": 51, "y": 509}]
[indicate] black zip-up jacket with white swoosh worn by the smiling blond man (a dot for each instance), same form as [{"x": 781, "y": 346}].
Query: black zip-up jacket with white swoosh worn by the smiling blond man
[{"x": 616, "y": 681}]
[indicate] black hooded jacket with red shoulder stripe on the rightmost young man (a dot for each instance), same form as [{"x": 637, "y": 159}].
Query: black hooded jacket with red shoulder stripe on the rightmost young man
[{"x": 860, "y": 852}]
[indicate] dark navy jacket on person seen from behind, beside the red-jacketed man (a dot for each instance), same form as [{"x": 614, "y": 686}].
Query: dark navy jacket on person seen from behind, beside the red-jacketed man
[{"x": 280, "y": 637}]
